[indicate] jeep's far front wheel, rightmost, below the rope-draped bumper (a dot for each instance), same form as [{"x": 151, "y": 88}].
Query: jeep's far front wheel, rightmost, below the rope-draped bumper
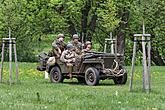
[{"x": 121, "y": 79}]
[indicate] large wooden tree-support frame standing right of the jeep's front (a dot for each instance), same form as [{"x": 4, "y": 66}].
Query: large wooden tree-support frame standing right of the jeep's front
[{"x": 145, "y": 39}]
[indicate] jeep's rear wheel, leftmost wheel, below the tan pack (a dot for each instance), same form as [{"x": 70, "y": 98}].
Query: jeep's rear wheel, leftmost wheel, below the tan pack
[{"x": 56, "y": 75}]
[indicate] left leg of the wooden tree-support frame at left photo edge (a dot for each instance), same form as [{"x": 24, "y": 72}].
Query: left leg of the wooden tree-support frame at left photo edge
[{"x": 2, "y": 60}]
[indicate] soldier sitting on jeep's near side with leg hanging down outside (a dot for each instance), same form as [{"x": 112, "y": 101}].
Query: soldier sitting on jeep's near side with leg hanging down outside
[{"x": 68, "y": 56}]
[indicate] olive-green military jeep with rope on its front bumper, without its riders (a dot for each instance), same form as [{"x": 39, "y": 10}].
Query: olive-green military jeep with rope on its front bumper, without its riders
[{"x": 89, "y": 69}]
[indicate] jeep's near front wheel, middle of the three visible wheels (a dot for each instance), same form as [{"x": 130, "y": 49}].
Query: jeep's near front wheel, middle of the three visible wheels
[{"x": 92, "y": 76}]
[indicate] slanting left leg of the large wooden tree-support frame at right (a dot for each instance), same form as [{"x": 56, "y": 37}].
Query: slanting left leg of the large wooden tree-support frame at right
[{"x": 133, "y": 64}]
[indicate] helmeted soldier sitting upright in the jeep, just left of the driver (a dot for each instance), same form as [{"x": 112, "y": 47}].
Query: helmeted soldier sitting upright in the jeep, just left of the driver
[{"x": 77, "y": 45}]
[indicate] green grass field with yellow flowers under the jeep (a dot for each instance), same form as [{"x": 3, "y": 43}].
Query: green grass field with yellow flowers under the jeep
[{"x": 33, "y": 92}]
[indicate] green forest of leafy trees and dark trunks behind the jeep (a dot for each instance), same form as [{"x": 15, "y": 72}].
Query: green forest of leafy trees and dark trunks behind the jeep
[{"x": 33, "y": 22}]
